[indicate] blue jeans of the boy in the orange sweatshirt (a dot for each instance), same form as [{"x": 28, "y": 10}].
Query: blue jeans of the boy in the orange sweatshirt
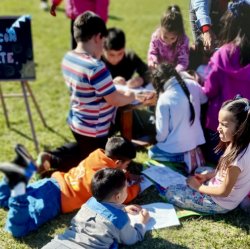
[{"x": 40, "y": 203}]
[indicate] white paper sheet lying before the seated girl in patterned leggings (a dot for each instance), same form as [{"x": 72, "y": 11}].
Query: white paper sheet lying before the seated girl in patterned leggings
[{"x": 163, "y": 175}]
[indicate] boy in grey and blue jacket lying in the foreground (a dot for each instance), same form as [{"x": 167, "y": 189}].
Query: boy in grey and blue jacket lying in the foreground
[{"x": 103, "y": 221}]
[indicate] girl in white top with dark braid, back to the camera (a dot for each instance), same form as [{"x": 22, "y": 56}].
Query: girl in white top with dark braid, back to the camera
[{"x": 177, "y": 116}]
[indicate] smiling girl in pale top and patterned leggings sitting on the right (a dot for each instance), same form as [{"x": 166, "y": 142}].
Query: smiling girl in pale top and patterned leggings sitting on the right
[{"x": 222, "y": 190}]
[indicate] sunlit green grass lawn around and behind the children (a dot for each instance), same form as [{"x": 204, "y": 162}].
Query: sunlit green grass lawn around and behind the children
[{"x": 138, "y": 18}]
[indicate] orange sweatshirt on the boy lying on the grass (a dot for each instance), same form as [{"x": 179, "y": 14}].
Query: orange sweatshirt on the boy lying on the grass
[{"x": 75, "y": 184}]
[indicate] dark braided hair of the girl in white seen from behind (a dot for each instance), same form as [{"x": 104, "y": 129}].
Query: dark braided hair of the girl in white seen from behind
[{"x": 162, "y": 74}]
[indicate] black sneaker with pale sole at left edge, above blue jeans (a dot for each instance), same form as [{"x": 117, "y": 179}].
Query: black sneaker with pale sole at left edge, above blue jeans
[{"x": 14, "y": 174}]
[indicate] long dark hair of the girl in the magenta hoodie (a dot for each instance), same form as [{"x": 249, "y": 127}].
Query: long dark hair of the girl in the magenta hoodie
[{"x": 235, "y": 28}]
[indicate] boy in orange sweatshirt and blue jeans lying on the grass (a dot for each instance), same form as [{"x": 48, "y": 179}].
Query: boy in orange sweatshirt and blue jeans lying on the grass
[{"x": 33, "y": 205}]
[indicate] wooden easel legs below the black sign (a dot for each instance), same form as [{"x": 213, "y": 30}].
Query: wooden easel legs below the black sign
[{"x": 26, "y": 92}]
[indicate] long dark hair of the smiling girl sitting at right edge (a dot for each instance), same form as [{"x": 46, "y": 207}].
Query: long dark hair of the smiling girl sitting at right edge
[{"x": 240, "y": 109}]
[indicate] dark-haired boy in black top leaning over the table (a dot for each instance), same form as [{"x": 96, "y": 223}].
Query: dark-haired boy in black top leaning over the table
[{"x": 121, "y": 63}]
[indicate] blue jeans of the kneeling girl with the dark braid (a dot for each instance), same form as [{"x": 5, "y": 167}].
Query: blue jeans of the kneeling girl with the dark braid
[{"x": 159, "y": 155}]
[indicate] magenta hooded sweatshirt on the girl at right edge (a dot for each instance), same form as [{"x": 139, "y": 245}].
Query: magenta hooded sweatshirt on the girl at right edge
[{"x": 226, "y": 79}]
